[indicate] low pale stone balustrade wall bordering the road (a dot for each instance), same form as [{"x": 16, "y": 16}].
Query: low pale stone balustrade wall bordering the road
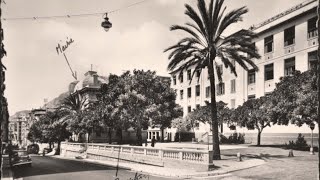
[{"x": 175, "y": 158}]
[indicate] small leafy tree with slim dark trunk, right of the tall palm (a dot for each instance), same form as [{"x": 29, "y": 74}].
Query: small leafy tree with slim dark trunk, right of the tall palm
[{"x": 254, "y": 114}]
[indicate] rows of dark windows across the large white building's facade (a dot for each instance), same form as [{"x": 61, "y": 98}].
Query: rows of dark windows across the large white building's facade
[{"x": 289, "y": 64}]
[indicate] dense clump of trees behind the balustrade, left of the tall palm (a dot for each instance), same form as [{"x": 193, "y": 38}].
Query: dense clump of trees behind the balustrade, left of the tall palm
[{"x": 136, "y": 100}]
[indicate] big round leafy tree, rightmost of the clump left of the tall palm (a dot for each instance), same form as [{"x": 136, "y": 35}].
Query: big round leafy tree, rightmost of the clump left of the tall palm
[{"x": 145, "y": 99}]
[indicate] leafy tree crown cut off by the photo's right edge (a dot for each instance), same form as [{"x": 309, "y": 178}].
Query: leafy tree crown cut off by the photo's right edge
[{"x": 298, "y": 95}]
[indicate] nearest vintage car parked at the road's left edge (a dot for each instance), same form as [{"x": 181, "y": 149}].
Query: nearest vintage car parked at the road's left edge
[{"x": 21, "y": 157}]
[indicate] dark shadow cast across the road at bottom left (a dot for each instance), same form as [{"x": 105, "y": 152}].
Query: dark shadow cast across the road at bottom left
[{"x": 43, "y": 165}]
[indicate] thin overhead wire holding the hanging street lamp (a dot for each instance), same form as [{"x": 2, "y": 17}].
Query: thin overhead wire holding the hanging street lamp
[{"x": 73, "y": 15}]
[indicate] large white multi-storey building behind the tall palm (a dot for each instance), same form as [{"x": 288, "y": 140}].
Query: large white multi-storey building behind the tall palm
[{"x": 286, "y": 42}]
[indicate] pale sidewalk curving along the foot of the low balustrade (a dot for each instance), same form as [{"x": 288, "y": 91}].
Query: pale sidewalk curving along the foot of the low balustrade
[{"x": 222, "y": 167}]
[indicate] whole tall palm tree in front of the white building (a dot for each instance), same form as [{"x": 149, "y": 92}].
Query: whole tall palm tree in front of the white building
[{"x": 206, "y": 42}]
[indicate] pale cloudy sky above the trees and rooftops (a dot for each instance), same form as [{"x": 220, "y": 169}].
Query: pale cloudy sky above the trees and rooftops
[{"x": 136, "y": 41}]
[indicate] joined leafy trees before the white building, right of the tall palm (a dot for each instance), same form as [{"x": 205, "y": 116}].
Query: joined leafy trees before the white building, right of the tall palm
[{"x": 294, "y": 100}]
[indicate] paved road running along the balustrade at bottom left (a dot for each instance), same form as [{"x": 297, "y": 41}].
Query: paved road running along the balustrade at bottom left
[{"x": 47, "y": 168}]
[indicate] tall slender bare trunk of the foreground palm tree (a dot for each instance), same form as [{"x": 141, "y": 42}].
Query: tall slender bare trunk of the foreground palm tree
[{"x": 214, "y": 118}]
